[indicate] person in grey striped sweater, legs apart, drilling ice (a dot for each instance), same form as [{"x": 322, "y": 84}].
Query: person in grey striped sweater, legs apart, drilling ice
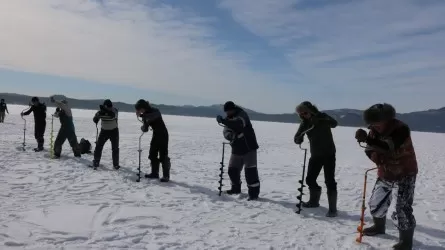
[{"x": 109, "y": 131}]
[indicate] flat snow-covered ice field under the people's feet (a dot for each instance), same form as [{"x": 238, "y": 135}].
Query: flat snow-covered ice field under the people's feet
[{"x": 63, "y": 204}]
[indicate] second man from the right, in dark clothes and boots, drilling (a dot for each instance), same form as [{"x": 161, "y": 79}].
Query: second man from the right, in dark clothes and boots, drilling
[{"x": 323, "y": 154}]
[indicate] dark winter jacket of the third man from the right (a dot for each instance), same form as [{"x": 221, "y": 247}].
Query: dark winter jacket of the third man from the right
[{"x": 240, "y": 133}]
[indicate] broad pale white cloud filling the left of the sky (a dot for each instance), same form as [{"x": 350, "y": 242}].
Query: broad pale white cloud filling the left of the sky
[{"x": 135, "y": 43}]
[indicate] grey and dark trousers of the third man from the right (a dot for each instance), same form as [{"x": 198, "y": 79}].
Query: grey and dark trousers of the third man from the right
[{"x": 236, "y": 164}]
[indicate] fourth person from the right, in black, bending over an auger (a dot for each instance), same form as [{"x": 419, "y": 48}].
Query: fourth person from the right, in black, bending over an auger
[{"x": 152, "y": 117}]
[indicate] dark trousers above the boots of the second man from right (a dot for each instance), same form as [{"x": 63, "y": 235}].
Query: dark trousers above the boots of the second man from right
[{"x": 327, "y": 163}]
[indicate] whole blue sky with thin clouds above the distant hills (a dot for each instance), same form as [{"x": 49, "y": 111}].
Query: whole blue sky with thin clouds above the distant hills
[{"x": 265, "y": 55}]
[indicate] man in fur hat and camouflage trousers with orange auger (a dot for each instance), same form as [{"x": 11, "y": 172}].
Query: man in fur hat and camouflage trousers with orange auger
[{"x": 390, "y": 147}]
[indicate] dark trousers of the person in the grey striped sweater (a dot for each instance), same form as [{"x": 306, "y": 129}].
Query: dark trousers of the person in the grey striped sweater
[{"x": 104, "y": 136}]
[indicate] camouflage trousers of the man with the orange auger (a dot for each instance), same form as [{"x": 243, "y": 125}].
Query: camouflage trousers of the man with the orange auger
[{"x": 381, "y": 198}]
